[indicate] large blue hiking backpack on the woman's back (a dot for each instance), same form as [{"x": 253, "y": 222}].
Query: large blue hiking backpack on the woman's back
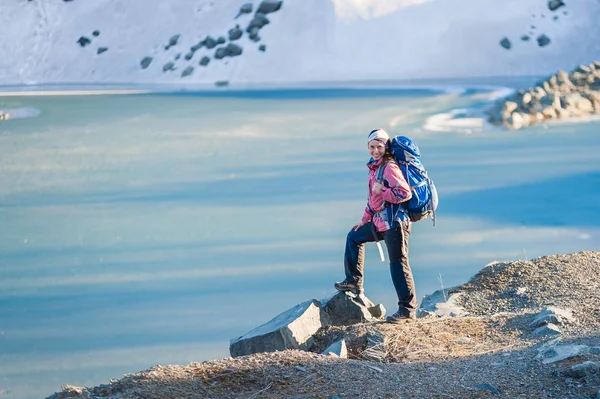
[{"x": 424, "y": 199}]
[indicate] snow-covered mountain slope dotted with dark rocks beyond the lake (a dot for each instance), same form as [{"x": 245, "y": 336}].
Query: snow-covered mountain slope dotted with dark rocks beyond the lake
[{"x": 133, "y": 41}]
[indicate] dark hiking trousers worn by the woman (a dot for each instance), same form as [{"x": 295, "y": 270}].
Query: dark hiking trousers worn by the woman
[{"x": 396, "y": 241}]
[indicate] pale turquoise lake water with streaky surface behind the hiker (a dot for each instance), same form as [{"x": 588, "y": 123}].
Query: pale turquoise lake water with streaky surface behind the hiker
[{"x": 151, "y": 229}]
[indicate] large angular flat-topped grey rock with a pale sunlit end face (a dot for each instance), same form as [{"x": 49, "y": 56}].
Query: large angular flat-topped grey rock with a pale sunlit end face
[{"x": 291, "y": 329}]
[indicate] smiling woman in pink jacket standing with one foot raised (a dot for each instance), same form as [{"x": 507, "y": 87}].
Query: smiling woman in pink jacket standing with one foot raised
[{"x": 384, "y": 219}]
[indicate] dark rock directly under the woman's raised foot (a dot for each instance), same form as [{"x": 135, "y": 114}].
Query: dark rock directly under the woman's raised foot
[{"x": 345, "y": 308}]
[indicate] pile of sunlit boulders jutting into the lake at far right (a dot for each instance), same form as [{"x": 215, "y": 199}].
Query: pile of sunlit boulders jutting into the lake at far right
[{"x": 562, "y": 96}]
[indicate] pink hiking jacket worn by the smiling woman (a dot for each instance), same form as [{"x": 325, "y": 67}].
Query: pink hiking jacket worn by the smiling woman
[{"x": 383, "y": 209}]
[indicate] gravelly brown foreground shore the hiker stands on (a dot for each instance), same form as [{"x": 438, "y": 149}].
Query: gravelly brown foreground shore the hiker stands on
[{"x": 500, "y": 346}]
